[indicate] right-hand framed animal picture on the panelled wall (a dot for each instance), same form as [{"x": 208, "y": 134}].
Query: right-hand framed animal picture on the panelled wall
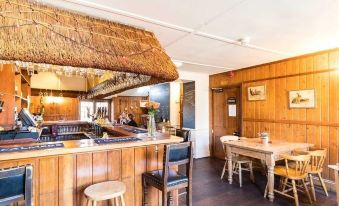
[{"x": 302, "y": 98}]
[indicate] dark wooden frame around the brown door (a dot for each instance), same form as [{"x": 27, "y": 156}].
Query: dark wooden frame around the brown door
[{"x": 240, "y": 87}]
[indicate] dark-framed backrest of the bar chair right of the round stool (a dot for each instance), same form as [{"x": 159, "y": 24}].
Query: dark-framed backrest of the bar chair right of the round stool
[{"x": 175, "y": 155}]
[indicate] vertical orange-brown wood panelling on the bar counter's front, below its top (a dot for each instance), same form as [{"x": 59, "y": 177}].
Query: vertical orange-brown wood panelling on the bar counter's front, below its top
[{"x": 61, "y": 180}]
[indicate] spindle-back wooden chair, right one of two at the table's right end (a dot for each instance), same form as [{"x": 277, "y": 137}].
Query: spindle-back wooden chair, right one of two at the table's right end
[{"x": 316, "y": 167}]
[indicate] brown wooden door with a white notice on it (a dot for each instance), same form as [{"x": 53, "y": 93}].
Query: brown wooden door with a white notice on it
[{"x": 226, "y": 116}]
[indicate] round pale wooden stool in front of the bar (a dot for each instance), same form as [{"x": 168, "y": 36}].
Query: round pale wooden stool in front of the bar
[{"x": 106, "y": 191}]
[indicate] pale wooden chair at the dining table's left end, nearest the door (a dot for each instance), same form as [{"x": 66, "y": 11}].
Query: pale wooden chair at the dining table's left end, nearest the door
[{"x": 238, "y": 161}]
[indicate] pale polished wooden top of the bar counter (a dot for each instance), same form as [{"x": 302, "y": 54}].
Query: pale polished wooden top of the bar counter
[{"x": 89, "y": 145}]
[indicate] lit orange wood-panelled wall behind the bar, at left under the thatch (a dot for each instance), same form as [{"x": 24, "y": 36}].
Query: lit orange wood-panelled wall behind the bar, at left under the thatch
[{"x": 67, "y": 110}]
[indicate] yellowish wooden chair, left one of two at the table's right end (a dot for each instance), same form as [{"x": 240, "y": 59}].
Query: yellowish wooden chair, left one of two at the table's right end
[{"x": 296, "y": 173}]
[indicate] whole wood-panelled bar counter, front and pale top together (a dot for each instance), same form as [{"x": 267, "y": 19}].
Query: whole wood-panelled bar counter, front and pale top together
[{"x": 60, "y": 175}]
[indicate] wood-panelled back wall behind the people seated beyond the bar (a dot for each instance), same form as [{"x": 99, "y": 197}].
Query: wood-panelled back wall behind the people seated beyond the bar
[{"x": 129, "y": 104}]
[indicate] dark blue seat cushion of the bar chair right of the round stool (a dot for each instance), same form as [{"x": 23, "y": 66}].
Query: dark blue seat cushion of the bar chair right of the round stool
[{"x": 174, "y": 178}]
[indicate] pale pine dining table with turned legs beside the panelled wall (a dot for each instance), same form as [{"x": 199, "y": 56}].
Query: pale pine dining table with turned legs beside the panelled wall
[{"x": 267, "y": 153}]
